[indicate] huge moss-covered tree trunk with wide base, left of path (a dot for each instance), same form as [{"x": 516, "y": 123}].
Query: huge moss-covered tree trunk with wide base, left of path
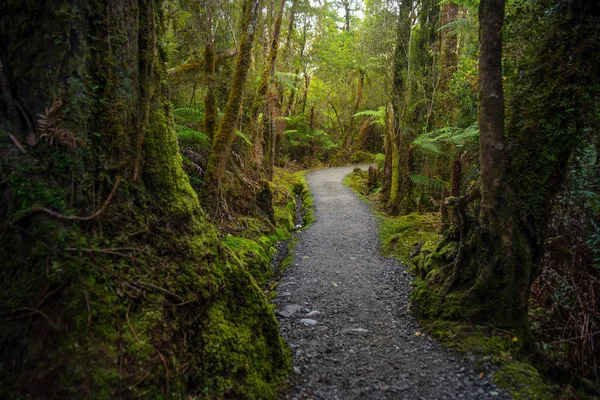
[{"x": 113, "y": 283}]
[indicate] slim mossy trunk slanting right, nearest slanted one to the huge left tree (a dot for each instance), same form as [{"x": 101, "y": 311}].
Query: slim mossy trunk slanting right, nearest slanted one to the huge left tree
[{"x": 217, "y": 161}]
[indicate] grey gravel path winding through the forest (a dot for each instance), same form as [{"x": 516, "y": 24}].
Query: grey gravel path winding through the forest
[{"x": 343, "y": 309}]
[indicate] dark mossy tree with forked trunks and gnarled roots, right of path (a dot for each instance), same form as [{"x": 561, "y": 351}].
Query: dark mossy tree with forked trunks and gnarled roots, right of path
[{"x": 486, "y": 275}]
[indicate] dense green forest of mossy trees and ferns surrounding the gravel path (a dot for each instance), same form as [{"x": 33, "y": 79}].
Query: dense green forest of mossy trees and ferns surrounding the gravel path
[{"x": 145, "y": 150}]
